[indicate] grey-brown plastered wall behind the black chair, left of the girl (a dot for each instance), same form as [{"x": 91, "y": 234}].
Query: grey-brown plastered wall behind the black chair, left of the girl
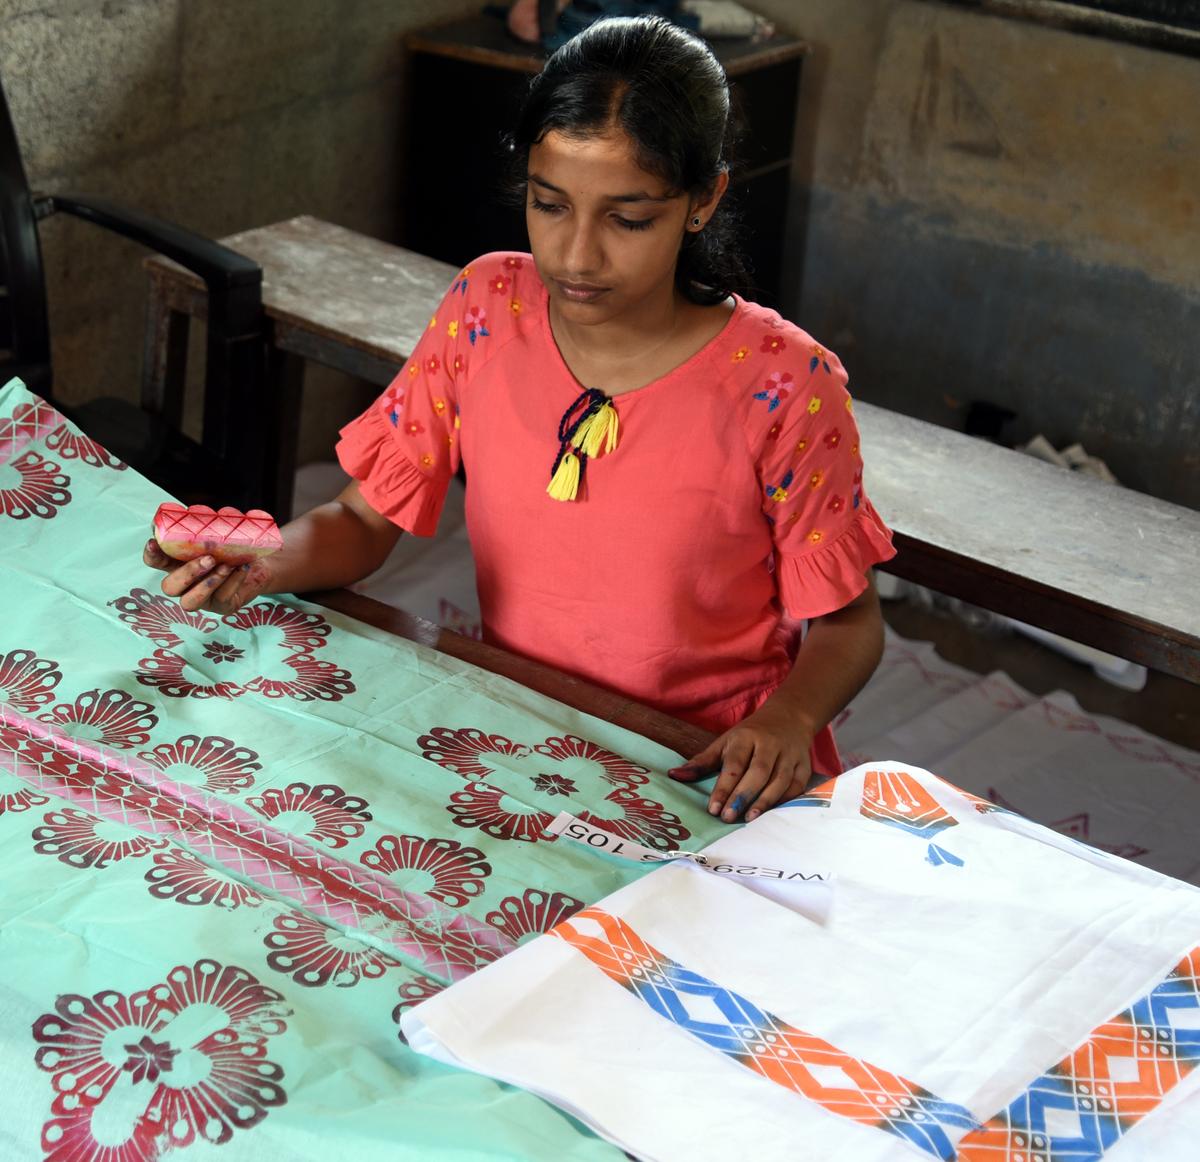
[{"x": 217, "y": 115}]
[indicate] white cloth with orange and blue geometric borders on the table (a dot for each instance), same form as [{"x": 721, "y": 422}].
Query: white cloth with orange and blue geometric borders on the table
[{"x": 985, "y": 990}]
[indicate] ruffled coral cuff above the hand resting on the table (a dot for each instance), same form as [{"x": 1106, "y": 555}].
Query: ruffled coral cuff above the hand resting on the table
[{"x": 829, "y": 577}]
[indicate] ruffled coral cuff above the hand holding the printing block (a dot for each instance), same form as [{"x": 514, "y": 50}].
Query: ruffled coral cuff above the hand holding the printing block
[{"x": 388, "y": 481}]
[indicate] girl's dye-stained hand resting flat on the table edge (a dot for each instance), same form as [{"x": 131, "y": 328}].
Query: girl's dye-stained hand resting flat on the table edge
[{"x": 763, "y": 762}]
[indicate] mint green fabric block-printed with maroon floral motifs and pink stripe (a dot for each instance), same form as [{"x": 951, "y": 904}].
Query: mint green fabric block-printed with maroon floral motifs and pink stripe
[{"x": 237, "y": 849}]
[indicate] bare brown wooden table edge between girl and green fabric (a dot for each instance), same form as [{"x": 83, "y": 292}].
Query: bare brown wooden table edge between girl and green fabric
[{"x": 679, "y": 736}]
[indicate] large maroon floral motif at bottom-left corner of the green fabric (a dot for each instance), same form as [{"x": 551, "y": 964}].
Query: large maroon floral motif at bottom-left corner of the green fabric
[{"x": 194, "y": 1049}]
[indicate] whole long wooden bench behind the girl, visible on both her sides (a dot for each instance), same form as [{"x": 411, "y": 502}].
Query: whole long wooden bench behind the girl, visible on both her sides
[{"x": 1093, "y": 562}]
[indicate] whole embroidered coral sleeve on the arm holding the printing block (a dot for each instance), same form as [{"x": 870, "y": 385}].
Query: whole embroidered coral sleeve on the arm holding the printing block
[{"x": 405, "y": 448}]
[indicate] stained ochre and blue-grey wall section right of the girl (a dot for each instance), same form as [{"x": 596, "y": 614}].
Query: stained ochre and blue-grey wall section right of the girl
[{"x": 991, "y": 209}]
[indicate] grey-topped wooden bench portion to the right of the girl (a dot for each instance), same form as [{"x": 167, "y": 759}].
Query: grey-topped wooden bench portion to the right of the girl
[{"x": 1090, "y": 561}]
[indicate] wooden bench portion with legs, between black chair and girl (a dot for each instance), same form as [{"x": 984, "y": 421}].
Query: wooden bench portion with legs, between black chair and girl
[{"x": 329, "y": 295}]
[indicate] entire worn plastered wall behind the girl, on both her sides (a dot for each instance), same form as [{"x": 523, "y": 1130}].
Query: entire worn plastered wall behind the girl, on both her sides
[{"x": 983, "y": 209}]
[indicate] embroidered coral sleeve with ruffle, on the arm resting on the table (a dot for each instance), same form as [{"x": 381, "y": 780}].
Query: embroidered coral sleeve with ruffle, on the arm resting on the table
[{"x": 827, "y": 535}]
